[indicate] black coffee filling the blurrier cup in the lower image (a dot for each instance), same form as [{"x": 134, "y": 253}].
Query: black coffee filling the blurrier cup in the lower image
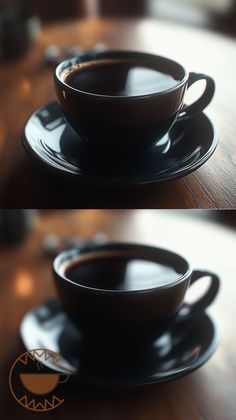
[{"x": 116, "y": 272}]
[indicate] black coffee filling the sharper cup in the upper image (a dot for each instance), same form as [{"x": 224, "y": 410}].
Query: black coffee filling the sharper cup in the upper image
[{"x": 119, "y": 77}]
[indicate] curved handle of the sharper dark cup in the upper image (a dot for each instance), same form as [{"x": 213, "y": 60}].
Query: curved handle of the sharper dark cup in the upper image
[{"x": 201, "y": 103}]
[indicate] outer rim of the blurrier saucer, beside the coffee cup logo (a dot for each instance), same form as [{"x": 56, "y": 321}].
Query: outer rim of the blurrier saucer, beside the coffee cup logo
[{"x": 171, "y": 376}]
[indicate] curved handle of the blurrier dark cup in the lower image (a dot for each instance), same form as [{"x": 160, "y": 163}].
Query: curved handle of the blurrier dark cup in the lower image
[{"x": 205, "y": 300}]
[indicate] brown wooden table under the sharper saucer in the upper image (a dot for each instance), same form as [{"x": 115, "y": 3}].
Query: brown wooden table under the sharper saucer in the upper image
[{"x": 27, "y": 84}]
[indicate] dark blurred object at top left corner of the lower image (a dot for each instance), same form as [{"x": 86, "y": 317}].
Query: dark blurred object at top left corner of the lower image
[{"x": 14, "y": 226}]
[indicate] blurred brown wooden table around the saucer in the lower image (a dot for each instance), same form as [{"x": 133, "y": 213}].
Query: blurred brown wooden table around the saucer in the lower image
[{"x": 26, "y": 281}]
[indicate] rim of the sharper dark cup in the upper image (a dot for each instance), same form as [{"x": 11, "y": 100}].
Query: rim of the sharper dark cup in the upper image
[{"x": 69, "y": 62}]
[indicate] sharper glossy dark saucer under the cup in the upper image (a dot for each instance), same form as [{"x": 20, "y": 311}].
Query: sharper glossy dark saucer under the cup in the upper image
[{"x": 49, "y": 138}]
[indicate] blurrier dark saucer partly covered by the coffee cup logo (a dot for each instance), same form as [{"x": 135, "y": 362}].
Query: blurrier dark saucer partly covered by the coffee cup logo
[{"x": 186, "y": 346}]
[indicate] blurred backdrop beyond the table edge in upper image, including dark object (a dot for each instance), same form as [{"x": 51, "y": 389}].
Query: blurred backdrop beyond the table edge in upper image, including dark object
[{"x": 20, "y": 19}]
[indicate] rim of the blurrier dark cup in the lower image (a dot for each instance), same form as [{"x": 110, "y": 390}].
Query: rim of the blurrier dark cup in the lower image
[{"x": 75, "y": 253}]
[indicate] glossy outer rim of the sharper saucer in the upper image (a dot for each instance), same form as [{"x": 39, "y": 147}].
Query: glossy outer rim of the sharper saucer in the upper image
[{"x": 126, "y": 183}]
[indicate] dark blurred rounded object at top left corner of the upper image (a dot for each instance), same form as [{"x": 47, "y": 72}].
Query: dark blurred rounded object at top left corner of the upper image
[{"x": 18, "y": 28}]
